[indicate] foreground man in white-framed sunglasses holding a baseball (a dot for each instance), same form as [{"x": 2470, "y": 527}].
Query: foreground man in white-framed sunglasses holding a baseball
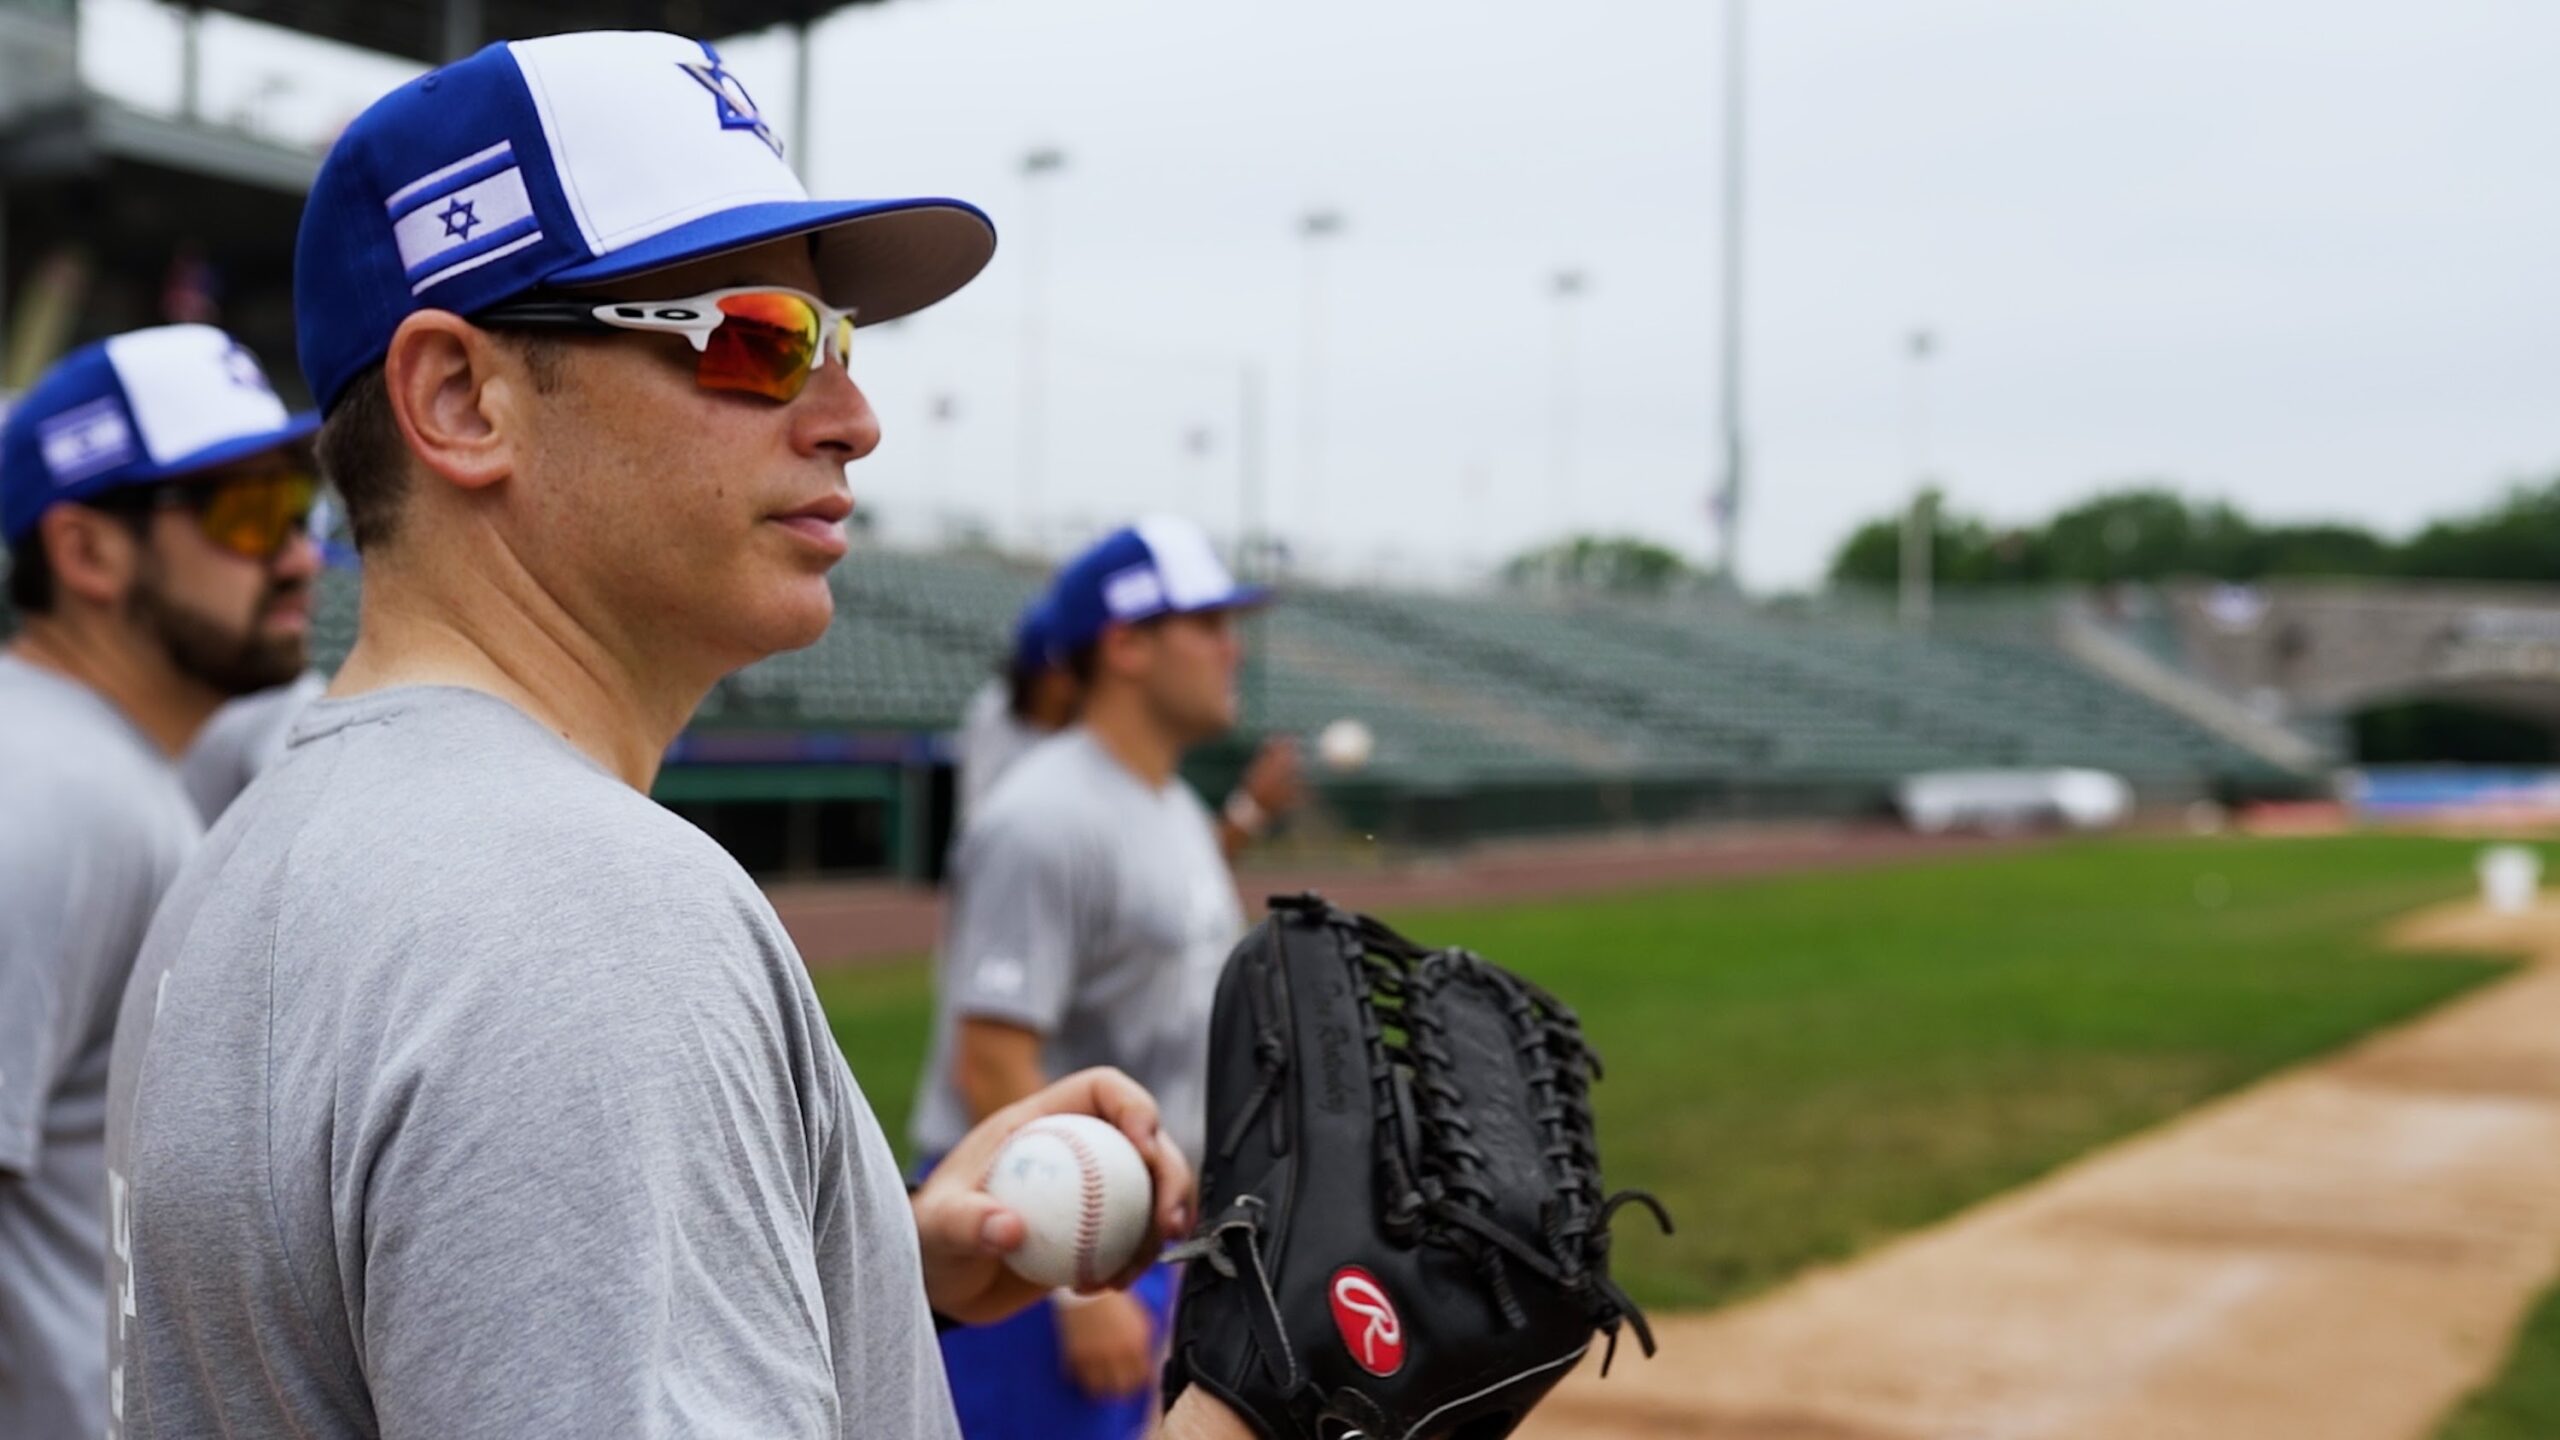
[{"x": 462, "y": 1090}]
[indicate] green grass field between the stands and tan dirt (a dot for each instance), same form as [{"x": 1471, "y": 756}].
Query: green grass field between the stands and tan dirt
[{"x": 1804, "y": 1067}]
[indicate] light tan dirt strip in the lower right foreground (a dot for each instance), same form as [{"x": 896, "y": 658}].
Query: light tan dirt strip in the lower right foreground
[{"x": 2333, "y": 1254}]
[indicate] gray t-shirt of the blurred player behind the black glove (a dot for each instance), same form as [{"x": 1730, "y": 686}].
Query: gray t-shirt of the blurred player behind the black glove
[{"x": 1097, "y": 911}]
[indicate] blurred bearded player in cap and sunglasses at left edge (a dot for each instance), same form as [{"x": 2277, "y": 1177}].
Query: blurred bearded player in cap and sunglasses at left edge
[{"x": 152, "y": 496}]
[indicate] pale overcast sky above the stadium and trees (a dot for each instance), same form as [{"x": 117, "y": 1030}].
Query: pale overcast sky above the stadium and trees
[{"x": 2298, "y": 255}]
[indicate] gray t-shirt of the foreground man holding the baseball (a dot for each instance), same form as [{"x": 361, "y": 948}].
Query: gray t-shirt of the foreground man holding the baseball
[{"x": 467, "y": 1093}]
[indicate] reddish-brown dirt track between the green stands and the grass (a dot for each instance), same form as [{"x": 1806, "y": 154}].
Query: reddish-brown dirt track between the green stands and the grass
[{"x": 867, "y": 921}]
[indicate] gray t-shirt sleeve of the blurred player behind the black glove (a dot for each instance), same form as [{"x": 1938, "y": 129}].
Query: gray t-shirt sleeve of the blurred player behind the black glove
[{"x": 1018, "y": 916}]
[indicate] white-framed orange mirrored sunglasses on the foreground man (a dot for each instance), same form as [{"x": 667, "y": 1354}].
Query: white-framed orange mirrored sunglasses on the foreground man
[{"x": 751, "y": 340}]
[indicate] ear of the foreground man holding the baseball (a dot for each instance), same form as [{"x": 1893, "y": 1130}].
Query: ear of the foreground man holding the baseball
[{"x": 460, "y": 398}]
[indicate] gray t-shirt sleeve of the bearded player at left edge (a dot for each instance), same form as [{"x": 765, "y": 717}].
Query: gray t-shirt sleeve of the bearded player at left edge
[{"x": 32, "y": 995}]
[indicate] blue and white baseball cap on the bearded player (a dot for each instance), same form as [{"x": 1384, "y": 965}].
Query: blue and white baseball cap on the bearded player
[{"x": 137, "y": 409}]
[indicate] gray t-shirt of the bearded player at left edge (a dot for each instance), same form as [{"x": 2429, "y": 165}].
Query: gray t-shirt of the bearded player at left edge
[{"x": 93, "y": 829}]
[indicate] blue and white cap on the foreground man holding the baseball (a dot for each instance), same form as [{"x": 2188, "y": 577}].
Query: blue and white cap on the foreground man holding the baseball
[{"x": 580, "y": 160}]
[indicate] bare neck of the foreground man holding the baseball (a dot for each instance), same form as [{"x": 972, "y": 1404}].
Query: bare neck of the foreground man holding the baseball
[{"x": 503, "y": 634}]
